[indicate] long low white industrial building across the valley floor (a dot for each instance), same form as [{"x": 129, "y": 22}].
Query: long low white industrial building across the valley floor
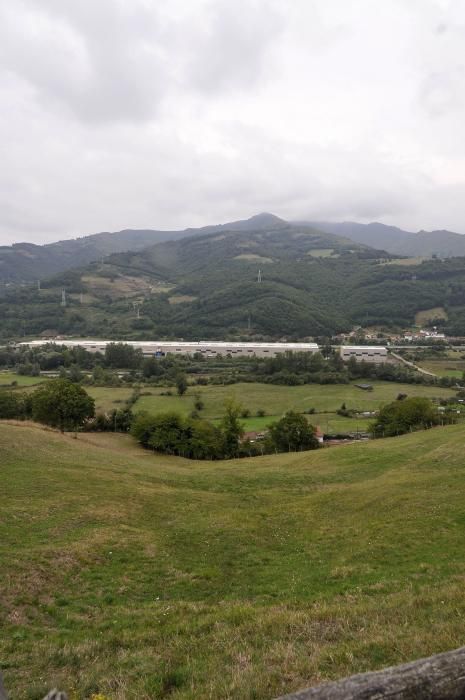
[{"x": 209, "y": 349}]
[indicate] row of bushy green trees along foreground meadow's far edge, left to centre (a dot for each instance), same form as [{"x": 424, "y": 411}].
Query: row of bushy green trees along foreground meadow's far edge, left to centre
[{"x": 65, "y": 405}]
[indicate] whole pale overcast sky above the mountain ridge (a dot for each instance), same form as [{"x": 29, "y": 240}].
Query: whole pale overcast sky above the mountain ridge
[{"x": 141, "y": 114}]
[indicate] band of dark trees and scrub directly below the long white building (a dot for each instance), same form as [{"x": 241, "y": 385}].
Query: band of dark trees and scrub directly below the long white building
[{"x": 121, "y": 363}]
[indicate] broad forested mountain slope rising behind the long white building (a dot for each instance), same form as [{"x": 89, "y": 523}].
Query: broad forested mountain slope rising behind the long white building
[{"x": 290, "y": 281}]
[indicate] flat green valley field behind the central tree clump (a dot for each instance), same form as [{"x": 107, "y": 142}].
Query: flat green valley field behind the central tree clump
[{"x": 276, "y": 400}]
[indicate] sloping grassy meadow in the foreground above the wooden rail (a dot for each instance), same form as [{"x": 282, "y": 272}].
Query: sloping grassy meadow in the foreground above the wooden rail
[{"x": 141, "y": 576}]
